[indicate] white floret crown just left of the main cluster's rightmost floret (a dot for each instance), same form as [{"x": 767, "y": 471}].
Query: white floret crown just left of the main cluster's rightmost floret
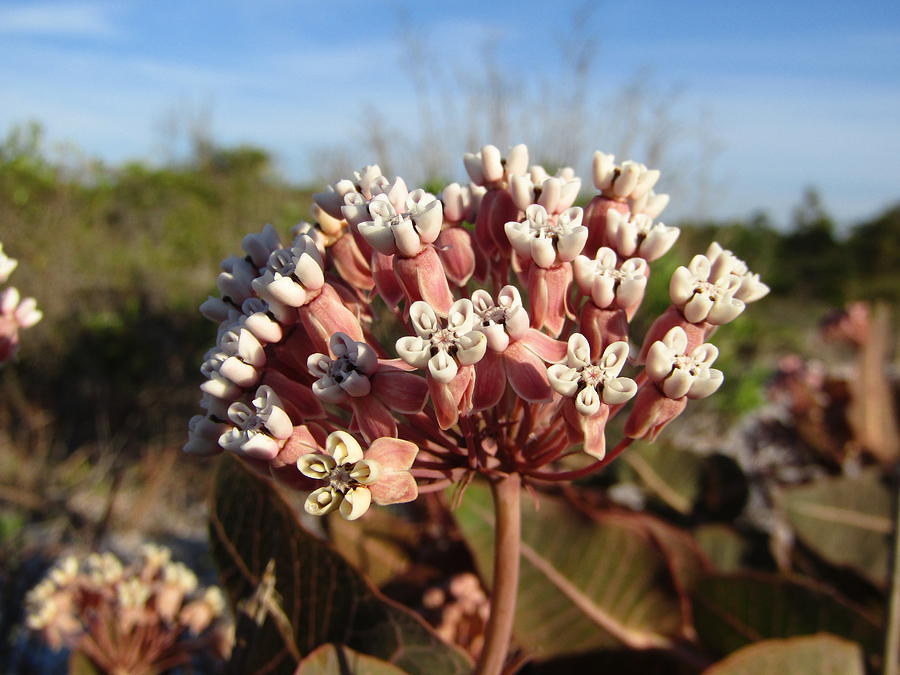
[{"x": 700, "y": 299}]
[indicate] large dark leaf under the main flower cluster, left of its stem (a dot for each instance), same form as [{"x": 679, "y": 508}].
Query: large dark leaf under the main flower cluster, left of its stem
[{"x": 300, "y": 593}]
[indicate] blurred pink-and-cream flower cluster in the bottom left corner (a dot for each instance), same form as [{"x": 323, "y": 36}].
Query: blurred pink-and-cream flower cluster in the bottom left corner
[{"x": 148, "y": 617}]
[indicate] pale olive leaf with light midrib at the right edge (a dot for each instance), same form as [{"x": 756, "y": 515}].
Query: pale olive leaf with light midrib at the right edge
[{"x": 847, "y": 521}]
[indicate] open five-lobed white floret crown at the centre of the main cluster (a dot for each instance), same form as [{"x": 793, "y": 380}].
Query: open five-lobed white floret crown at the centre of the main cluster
[{"x": 442, "y": 350}]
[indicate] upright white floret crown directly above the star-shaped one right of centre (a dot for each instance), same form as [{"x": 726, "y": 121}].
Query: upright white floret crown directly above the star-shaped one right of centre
[{"x": 606, "y": 282}]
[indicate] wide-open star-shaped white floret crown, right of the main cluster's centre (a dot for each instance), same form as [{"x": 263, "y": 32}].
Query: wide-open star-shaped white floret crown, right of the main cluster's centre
[{"x": 589, "y": 384}]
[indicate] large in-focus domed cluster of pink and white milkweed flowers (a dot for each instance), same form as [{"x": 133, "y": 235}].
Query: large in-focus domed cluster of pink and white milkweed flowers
[{"x": 482, "y": 330}]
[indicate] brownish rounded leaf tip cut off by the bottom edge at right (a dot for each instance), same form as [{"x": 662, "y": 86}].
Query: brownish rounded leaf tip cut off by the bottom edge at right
[{"x": 821, "y": 654}]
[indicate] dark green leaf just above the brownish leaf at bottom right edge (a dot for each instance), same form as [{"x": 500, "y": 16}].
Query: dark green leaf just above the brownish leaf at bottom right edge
[{"x": 731, "y": 611}]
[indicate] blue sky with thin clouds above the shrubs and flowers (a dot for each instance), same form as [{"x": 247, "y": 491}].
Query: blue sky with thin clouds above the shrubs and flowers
[{"x": 765, "y": 98}]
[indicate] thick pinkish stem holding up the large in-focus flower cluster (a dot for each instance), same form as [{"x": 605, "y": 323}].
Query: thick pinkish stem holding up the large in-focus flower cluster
[{"x": 506, "y": 492}]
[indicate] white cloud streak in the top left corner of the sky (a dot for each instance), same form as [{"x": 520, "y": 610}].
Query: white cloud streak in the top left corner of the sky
[{"x": 55, "y": 18}]
